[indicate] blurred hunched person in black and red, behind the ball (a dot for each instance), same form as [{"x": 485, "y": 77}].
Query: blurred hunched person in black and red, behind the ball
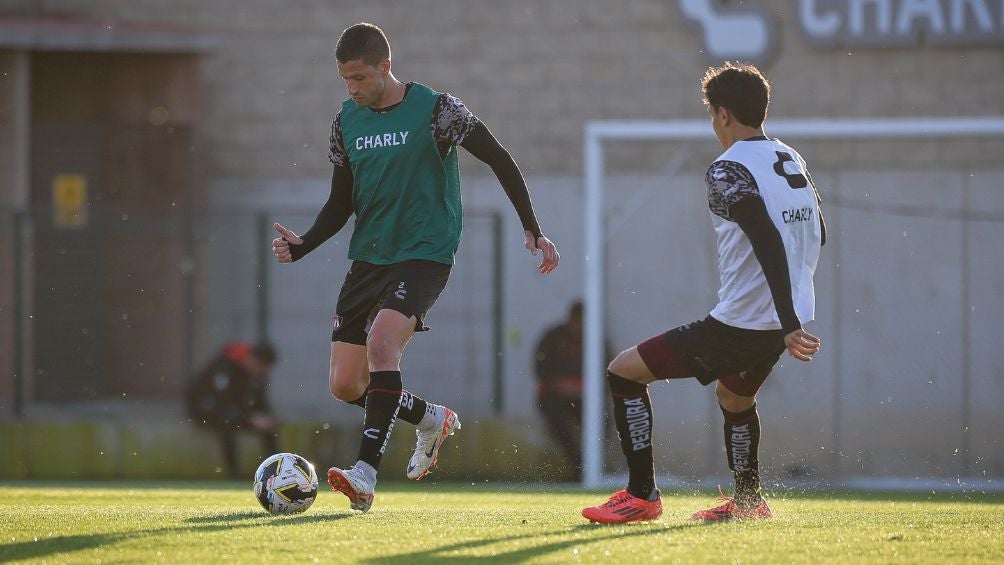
[{"x": 230, "y": 396}]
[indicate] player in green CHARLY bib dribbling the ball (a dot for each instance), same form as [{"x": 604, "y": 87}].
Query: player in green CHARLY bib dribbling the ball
[{"x": 394, "y": 147}]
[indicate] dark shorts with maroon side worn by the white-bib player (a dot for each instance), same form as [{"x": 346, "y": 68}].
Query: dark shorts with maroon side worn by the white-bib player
[{"x": 710, "y": 351}]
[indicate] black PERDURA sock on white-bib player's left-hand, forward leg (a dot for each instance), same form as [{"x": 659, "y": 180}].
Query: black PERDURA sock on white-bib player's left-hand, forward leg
[{"x": 633, "y": 415}]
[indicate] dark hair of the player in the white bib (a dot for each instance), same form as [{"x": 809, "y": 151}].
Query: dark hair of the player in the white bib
[{"x": 741, "y": 89}]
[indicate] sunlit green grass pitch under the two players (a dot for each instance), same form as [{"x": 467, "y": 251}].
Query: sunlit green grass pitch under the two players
[{"x": 416, "y": 523}]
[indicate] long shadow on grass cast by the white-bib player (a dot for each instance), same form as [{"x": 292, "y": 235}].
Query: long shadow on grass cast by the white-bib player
[{"x": 443, "y": 553}]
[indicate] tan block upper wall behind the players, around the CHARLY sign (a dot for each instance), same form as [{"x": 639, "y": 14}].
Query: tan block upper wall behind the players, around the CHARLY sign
[{"x": 534, "y": 71}]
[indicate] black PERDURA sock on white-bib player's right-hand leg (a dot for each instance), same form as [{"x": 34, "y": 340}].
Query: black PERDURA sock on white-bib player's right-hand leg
[{"x": 742, "y": 442}]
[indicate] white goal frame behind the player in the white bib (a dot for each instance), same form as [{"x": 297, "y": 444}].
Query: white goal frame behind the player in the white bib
[{"x": 597, "y": 132}]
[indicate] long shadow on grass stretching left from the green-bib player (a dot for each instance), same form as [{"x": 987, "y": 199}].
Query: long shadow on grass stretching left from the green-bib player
[{"x": 233, "y": 521}]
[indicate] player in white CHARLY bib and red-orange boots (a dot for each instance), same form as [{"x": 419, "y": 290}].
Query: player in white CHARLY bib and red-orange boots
[{"x": 766, "y": 212}]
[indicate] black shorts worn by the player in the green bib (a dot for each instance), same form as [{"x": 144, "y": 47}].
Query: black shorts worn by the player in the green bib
[{"x": 409, "y": 288}]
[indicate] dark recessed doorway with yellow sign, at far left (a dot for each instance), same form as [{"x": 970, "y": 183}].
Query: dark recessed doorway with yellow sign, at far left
[{"x": 113, "y": 193}]
